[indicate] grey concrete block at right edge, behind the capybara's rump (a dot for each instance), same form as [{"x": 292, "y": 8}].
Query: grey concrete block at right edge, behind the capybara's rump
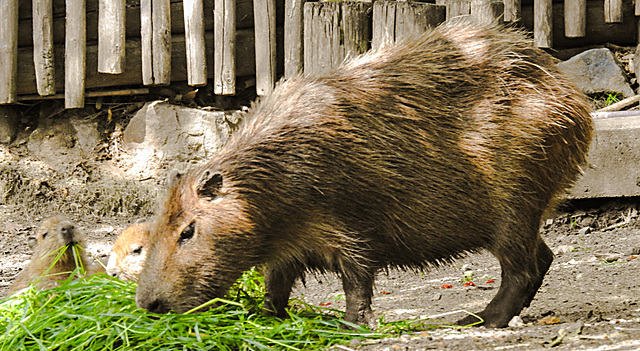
[{"x": 614, "y": 158}]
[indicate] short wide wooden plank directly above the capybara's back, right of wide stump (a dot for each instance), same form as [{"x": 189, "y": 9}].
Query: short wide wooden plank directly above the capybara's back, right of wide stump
[{"x": 413, "y": 18}]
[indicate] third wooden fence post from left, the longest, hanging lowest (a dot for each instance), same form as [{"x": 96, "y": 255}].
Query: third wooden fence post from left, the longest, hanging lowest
[{"x": 75, "y": 53}]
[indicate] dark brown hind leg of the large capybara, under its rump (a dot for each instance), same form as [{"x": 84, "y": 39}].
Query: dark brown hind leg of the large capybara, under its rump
[{"x": 522, "y": 274}]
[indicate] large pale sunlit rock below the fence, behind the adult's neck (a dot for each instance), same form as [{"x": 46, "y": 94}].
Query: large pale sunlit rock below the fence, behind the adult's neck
[{"x": 161, "y": 134}]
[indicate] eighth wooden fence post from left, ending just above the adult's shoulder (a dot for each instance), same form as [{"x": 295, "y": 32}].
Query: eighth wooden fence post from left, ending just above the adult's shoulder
[{"x": 264, "y": 14}]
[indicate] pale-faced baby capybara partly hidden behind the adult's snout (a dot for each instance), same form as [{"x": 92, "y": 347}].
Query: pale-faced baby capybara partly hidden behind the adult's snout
[{"x": 129, "y": 252}]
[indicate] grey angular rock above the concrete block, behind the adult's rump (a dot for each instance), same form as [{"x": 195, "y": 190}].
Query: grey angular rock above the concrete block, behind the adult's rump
[{"x": 597, "y": 71}]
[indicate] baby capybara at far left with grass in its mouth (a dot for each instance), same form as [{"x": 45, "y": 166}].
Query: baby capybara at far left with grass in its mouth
[{"x": 54, "y": 233}]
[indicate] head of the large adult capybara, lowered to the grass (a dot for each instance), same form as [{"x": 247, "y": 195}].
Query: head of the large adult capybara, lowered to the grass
[{"x": 200, "y": 243}]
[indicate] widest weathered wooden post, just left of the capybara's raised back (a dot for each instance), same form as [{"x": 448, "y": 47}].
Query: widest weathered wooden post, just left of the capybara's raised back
[{"x": 334, "y": 31}]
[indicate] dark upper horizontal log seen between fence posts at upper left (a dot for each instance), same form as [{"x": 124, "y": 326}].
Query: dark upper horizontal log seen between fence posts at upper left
[{"x": 244, "y": 19}]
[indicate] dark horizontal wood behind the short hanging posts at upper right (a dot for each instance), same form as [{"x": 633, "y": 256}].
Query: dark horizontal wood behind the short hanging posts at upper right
[{"x": 597, "y": 31}]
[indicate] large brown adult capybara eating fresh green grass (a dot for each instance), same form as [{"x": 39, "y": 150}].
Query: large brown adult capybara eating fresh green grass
[{"x": 409, "y": 157}]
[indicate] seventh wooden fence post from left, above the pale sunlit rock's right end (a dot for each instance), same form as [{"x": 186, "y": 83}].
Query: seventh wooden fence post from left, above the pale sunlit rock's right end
[{"x": 224, "y": 74}]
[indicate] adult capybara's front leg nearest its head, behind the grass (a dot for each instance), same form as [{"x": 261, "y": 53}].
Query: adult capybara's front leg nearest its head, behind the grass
[{"x": 278, "y": 281}]
